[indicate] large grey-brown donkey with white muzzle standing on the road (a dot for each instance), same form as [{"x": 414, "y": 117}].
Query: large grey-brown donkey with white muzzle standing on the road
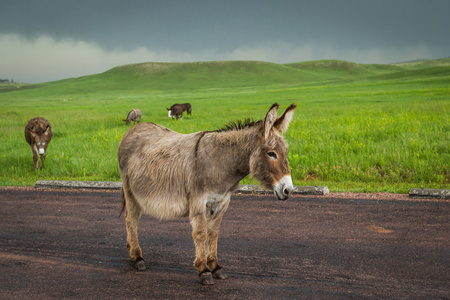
[{"x": 167, "y": 174}]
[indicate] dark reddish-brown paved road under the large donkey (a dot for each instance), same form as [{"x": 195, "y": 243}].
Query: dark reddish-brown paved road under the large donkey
[{"x": 71, "y": 244}]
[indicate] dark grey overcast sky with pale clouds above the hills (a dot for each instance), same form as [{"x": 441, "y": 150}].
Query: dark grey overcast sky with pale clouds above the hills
[{"x": 46, "y": 40}]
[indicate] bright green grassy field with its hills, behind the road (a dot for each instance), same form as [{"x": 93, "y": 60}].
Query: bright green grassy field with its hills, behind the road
[{"x": 361, "y": 128}]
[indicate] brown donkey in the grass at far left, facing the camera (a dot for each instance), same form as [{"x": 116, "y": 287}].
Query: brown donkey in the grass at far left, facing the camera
[{"x": 38, "y": 134}]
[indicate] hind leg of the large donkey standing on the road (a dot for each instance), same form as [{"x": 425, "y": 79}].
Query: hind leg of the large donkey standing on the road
[{"x": 132, "y": 214}]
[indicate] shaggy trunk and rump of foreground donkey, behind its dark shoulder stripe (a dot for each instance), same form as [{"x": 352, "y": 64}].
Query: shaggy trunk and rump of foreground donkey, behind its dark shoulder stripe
[{"x": 156, "y": 167}]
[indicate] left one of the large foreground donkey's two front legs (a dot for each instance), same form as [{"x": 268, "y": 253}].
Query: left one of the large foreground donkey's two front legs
[{"x": 199, "y": 234}]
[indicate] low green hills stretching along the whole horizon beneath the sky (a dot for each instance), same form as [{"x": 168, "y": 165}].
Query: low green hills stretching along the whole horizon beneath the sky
[{"x": 163, "y": 77}]
